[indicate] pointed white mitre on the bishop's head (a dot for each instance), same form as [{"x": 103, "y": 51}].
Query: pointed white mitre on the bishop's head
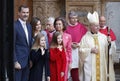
[{"x": 93, "y": 18}]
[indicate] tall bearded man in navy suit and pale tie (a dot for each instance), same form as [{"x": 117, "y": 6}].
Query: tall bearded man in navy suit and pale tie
[{"x": 22, "y": 43}]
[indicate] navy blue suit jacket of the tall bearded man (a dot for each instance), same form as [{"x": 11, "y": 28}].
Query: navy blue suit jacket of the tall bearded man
[{"x": 21, "y": 47}]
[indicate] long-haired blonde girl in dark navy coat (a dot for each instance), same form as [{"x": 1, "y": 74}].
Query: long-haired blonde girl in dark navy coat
[{"x": 40, "y": 60}]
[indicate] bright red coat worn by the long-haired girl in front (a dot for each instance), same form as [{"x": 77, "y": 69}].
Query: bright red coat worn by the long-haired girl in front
[{"x": 57, "y": 64}]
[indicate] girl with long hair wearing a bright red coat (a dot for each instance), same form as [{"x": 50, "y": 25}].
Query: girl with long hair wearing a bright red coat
[{"x": 57, "y": 58}]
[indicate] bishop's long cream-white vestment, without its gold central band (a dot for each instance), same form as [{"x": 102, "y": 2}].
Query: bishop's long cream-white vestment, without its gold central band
[{"x": 88, "y": 60}]
